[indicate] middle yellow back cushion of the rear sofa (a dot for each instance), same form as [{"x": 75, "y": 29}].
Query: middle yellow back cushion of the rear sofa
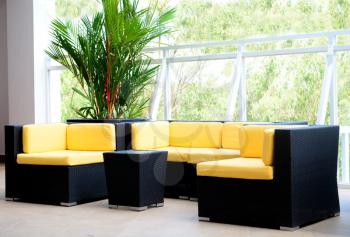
[{"x": 196, "y": 134}]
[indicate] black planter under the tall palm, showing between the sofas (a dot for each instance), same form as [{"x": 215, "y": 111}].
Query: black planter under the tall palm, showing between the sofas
[{"x": 122, "y": 129}]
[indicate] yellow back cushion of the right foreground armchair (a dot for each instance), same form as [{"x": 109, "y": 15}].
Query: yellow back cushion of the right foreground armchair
[{"x": 251, "y": 139}]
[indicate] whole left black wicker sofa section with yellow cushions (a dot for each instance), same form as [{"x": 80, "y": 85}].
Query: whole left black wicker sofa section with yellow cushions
[{"x": 57, "y": 163}]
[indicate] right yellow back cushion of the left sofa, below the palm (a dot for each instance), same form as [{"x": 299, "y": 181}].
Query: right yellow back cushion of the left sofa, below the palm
[{"x": 91, "y": 137}]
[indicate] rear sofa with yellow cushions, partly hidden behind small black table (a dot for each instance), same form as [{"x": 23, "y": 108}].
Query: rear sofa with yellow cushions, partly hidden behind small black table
[{"x": 187, "y": 143}]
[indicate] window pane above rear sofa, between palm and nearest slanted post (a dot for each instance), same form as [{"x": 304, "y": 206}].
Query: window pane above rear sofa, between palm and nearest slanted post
[{"x": 200, "y": 89}]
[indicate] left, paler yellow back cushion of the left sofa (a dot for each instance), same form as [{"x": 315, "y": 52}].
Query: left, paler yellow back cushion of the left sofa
[{"x": 44, "y": 137}]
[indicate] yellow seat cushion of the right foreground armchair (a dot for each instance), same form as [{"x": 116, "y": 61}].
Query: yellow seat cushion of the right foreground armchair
[{"x": 238, "y": 168}]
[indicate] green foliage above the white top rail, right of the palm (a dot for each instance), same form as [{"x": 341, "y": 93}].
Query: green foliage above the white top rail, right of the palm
[{"x": 207, "y": 20}]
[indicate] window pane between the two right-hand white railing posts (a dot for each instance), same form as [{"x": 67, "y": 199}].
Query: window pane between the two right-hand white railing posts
[{"x": 284, "y": 88}]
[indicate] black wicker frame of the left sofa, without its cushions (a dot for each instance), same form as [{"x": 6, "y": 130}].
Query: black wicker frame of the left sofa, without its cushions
[{"x": 50, "y": 184}]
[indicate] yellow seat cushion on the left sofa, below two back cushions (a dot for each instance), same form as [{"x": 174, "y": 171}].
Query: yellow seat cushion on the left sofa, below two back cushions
[{"x": 63, "y": 158}]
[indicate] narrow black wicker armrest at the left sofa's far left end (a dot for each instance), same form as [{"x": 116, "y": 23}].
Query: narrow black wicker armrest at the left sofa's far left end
[{"x": 13, "y": 146}]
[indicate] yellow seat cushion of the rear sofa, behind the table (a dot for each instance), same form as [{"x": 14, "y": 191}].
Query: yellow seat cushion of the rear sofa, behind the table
[{"x": 197, "y": 155}]
